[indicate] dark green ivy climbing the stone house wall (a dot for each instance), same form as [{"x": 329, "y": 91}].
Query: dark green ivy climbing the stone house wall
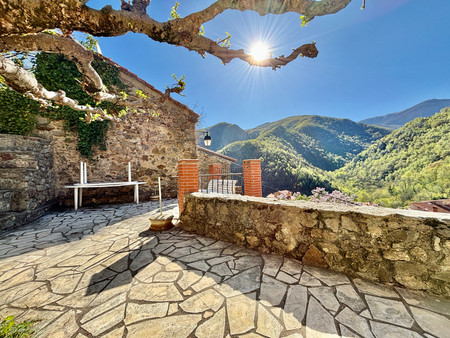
[{"x": 54, "y": 72}]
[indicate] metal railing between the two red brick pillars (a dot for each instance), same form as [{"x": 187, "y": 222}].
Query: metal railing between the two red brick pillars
[{"x": 223, "y": 183}]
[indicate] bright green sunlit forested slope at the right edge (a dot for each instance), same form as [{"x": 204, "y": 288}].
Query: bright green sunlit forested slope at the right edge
[{"x": 411, "y": 164}]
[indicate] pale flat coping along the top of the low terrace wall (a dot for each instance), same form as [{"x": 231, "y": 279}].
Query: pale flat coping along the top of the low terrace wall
[{"x": 341, "y": 208}]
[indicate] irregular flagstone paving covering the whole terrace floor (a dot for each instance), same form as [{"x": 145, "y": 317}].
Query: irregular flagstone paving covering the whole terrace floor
[{"x": 100, "y": 272}]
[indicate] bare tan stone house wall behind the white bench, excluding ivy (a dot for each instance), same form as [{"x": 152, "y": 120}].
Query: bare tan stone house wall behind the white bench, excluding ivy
[{"x": 152, "y": 145}]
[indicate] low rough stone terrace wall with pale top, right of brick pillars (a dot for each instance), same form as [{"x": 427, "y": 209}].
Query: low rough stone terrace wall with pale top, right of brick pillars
[{"x": 400, "y": 247}]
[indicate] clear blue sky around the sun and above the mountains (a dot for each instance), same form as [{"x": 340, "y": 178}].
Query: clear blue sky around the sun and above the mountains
[{"x": 386, "y": 58}]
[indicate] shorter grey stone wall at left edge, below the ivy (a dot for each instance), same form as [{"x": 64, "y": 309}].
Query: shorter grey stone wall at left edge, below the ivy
[{"x": 27, "y": 178}]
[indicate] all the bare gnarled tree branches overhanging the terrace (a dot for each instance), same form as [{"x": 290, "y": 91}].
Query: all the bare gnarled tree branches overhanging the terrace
[{"x": 24, "y": 26}]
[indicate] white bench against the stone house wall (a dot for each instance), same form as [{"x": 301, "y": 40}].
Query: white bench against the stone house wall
[{"x": 78, "y": 187}]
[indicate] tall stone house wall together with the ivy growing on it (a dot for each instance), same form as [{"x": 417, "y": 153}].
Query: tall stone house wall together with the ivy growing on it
[{"x": 153, "y": 145}]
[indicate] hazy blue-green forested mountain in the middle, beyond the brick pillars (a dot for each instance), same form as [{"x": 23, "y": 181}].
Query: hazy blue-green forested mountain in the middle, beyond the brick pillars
[{"x": 297, "y": 150}]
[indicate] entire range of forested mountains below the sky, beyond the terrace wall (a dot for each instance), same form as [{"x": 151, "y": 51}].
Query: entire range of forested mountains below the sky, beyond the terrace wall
[{"x": 303, "y": 152}]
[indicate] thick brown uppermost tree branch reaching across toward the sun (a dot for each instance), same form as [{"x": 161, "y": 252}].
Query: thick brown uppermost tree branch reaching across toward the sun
[{"x": 181, "y": 32}]
